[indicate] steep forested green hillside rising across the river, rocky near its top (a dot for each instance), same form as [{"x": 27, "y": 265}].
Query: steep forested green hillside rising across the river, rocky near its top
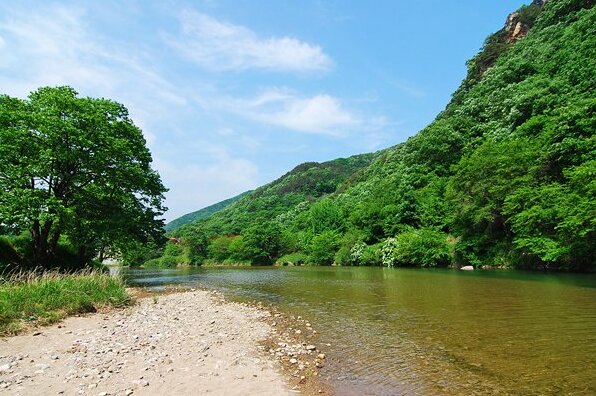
[{"x": 504, "y": 176}]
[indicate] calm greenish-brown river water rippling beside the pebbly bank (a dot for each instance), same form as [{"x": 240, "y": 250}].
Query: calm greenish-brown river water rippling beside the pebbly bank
[{"x": 401, "y": 331}]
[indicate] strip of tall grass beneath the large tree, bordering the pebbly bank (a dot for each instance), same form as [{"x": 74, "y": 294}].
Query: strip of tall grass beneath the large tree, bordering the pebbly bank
[{"x": 29, "y": 299}]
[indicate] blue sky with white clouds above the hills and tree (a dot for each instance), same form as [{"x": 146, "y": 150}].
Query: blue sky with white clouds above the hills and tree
[{"x": 232, "y": 94}]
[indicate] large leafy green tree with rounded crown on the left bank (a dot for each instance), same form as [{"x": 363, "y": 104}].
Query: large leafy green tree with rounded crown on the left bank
[{"x": 78, "y": 170}]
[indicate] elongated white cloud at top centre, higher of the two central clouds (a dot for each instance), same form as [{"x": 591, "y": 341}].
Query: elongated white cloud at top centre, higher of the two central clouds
[{"x": 221, "y": 46}]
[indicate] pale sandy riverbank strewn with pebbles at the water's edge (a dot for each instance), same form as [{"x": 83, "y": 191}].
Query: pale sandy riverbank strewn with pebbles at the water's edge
[{"x": 186, "y": 343}]
